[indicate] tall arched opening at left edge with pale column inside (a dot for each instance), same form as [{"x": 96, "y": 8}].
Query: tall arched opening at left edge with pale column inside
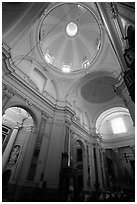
[{"x": 17, "y": 127}]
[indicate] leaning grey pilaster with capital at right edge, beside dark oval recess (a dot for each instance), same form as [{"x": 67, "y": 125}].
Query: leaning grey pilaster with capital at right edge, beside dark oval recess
[{"x": 122, "y": 91}]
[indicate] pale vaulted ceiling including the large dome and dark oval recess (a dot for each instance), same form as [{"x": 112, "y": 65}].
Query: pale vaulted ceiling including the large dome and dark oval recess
[{"x": 50, "y": 37}]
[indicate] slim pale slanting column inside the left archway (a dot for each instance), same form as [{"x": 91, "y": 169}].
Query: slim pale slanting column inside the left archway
[{"x": 9, "y": 146}]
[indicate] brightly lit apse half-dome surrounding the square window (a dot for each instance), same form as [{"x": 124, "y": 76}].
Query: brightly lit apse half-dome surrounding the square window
[{"x": 114, "y": 123}]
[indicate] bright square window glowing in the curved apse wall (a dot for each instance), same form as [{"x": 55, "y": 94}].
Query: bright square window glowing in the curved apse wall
[{"x": 118, "y": 126}]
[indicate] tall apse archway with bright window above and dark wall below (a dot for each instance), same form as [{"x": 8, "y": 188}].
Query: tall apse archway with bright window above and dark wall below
[{"x": 117, "y": 131}]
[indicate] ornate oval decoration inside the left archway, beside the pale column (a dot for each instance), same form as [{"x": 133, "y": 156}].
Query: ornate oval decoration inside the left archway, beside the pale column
[{"x": 14, "y": 155}]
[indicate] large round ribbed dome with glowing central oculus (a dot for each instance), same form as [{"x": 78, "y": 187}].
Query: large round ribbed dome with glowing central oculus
[{"x": 70, "y": 37}]
